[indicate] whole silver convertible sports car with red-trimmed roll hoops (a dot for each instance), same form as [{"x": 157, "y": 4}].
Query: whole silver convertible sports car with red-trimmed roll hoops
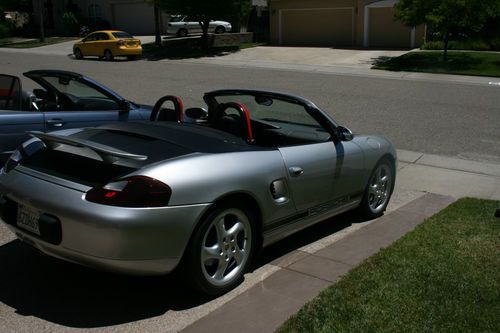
[{"x": 198, "y": 189}]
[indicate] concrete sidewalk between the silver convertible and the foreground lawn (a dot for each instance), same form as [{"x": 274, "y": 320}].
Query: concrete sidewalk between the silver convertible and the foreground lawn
[{"x": 301, "y": 274}]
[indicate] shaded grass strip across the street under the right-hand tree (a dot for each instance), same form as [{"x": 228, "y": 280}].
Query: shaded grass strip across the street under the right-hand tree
[{"x": 464, "y": 63}]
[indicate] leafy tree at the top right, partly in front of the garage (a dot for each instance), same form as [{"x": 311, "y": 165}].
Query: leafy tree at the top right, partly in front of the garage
[{"x": 447, "y": 17}]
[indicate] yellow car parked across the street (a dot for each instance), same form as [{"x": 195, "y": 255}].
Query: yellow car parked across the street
[{"x": 107, "y": 44}]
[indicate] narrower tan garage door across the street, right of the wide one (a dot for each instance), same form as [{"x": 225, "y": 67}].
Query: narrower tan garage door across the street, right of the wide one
[{"x": 386, "y": 32}]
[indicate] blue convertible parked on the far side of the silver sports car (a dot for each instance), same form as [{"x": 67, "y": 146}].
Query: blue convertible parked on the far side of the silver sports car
[{"x": 65, "y": 100}]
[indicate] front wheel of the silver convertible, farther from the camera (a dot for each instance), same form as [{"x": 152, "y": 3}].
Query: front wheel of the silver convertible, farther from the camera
[{"x": 379, "y": 189}]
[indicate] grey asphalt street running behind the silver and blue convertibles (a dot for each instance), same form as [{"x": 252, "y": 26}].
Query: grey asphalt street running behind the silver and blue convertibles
[{"x": 439, "y": 116}]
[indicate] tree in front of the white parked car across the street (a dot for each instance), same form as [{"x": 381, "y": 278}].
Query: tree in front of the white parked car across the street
[{"x": 204, "y": 11}]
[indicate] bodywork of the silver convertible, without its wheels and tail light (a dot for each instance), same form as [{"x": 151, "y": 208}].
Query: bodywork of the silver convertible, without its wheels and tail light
[{"x": 203, "y": 165}]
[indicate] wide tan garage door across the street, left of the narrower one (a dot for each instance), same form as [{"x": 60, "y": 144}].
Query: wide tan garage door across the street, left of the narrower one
[{"x": 317, "y": 27}]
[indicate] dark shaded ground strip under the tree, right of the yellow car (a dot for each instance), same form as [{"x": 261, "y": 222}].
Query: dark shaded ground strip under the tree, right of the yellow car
[{"x": 188, "y": 49}]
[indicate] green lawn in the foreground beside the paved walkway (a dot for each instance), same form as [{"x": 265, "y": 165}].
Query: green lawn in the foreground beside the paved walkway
[{"x": 442, "y": 277}]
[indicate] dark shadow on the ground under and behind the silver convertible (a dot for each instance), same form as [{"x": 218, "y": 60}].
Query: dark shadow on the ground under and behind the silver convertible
[{"x": 75, "y": 296}]
